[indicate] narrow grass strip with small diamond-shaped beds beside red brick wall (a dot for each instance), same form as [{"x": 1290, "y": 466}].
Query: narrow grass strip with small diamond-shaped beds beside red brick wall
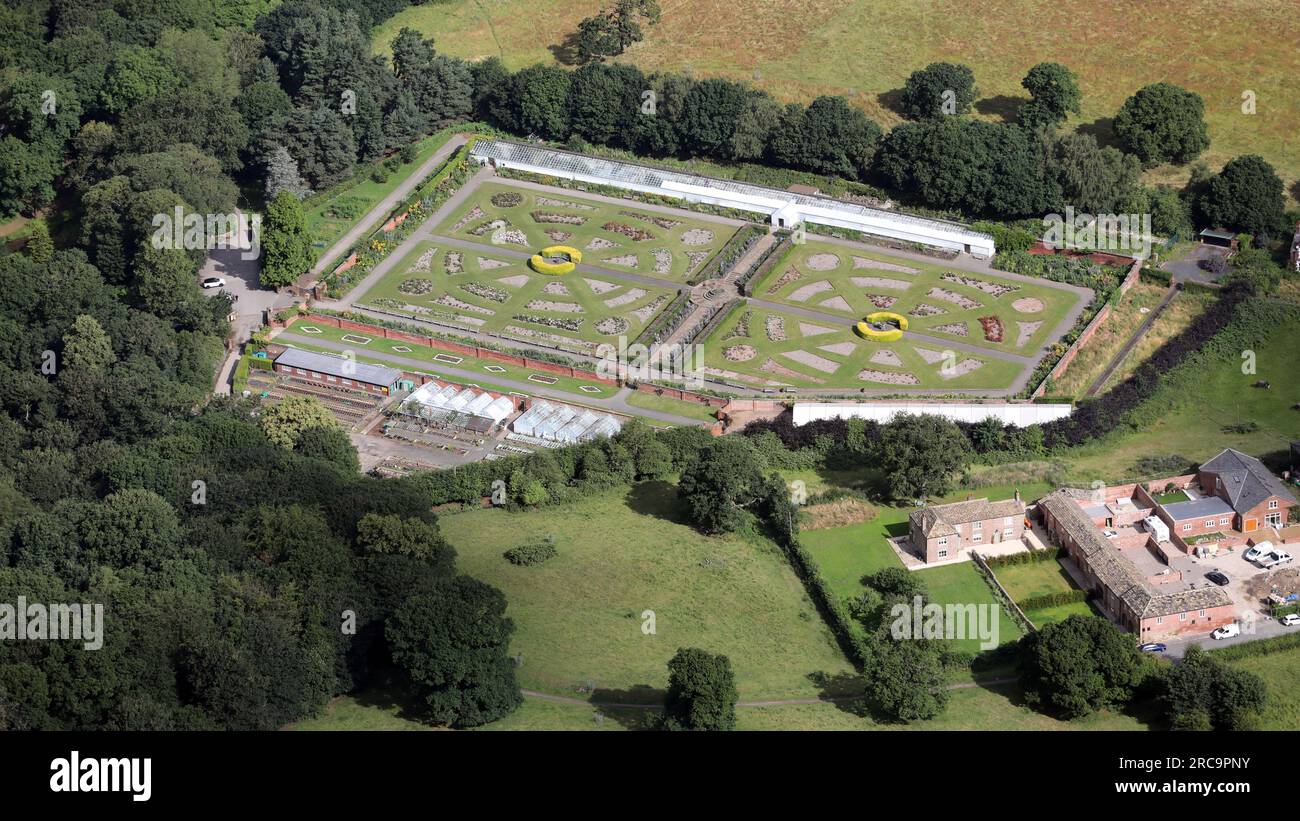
[{"x": 428, "y": 357}]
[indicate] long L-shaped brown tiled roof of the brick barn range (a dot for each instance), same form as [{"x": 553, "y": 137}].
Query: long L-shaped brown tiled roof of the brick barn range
[{"x": 1117, "y": 572}]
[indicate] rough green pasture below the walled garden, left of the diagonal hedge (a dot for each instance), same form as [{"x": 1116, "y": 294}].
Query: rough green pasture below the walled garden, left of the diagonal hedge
[{"x": 627, "y": 551}]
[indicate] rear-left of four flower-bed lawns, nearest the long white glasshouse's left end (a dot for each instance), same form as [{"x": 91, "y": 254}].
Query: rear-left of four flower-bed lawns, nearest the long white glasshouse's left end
[{"x": 618, "y": 237}]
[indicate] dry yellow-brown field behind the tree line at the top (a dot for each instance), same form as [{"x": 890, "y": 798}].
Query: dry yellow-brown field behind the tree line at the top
[{"x": 821, "y": 51}]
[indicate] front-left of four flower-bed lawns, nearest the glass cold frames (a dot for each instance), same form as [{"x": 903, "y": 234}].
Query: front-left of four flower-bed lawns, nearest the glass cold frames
[{"x": 499, "y": 294}]
